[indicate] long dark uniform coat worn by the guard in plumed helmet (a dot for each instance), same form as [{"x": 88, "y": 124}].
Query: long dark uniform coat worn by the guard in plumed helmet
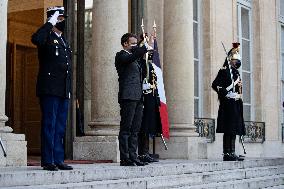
[{"x": 230, "y": 114}]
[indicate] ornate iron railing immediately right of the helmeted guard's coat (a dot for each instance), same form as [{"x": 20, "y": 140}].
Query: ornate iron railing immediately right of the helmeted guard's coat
[{"x": 255, "y": 132}]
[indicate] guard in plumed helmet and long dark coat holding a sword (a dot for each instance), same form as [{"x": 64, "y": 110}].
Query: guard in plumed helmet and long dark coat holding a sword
[{"x": 230, "y": 119}]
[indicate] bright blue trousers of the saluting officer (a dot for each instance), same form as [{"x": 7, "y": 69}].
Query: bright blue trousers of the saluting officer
[{"x": 54, "y": 112}]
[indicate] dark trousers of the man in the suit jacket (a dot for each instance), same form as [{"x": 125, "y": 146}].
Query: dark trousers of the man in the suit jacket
[{"x": 131, "y": 113}]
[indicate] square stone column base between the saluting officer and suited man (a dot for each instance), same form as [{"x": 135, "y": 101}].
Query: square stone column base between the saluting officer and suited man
[{"x": 96, "y": 148}]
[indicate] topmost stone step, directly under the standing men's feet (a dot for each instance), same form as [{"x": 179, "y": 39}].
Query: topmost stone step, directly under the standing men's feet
[{"x": 98, "y": 172}]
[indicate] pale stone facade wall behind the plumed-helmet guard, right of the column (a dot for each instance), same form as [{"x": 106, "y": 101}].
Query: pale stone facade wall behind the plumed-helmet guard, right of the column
[{"x": 220, "y": 24}]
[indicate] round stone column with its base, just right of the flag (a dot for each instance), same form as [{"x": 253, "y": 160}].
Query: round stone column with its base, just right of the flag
[{"x": 179, "y": 82}]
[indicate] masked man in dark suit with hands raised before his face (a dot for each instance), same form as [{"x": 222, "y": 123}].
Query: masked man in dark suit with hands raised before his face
[{"x": 128, "y": 66}]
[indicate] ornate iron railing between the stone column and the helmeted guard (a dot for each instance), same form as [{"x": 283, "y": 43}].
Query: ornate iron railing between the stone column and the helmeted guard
[{"x": 205, "y": 127}]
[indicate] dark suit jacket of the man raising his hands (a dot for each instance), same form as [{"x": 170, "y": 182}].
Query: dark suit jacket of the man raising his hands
[{"x": 128, "y": 66}]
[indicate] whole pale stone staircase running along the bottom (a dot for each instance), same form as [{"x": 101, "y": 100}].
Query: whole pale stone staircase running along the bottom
[{"x": 181, "y": 174}]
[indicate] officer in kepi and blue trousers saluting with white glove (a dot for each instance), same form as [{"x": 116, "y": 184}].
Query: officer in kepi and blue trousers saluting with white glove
[{"x": 53, "y": 87}]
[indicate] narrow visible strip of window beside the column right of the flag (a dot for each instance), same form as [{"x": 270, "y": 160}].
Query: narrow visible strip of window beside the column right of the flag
[{"x": 197, "y": 61}]
